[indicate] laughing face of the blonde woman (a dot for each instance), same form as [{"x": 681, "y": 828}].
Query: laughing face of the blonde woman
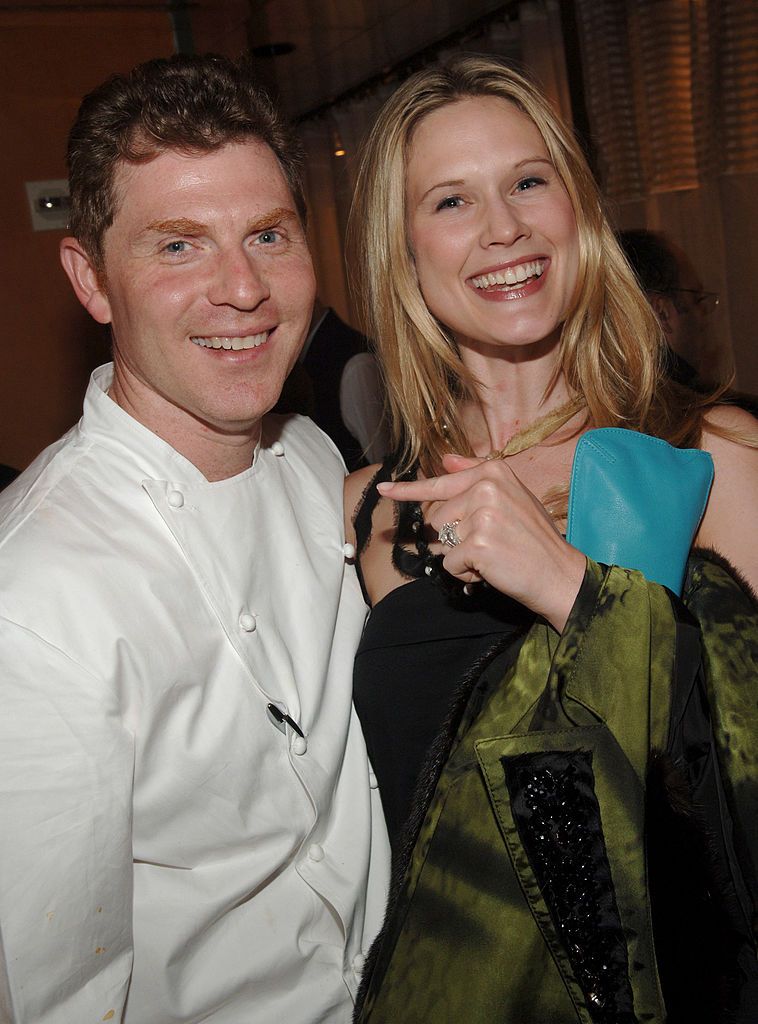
[{"x": 492, "y": 228}]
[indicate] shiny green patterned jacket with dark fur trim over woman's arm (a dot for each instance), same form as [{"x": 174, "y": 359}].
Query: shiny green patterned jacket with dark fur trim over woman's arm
[{"x": 592, "y": 777}]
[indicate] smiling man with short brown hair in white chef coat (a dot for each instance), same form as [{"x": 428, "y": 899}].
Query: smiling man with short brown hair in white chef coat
[{"x": 188, "y": 821}]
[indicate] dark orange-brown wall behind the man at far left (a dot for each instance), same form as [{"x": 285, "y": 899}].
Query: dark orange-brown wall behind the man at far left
[{"x": 49, "y": 345}]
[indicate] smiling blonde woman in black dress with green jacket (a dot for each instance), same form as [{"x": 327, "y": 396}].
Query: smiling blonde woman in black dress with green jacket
[{"x": 509, "y": 324}]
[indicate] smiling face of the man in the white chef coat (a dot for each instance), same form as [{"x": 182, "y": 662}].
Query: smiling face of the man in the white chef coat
[{"x": 208, "y": 286}]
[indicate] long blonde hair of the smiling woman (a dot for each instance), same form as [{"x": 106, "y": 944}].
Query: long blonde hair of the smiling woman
[{"x": 611, "y": 351}]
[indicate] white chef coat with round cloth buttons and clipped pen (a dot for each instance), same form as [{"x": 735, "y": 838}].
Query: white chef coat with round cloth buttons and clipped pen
[{"x": 166, "y": 845}]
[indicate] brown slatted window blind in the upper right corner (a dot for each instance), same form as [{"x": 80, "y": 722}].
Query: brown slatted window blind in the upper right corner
[{"x": 672, "y": 92}]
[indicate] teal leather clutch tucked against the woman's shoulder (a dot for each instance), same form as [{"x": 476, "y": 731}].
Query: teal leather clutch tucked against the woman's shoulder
[{"x": 637, "y": 501}]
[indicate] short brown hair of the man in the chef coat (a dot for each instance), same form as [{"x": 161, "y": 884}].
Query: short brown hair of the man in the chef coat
[{"x": 180, "y": 103}]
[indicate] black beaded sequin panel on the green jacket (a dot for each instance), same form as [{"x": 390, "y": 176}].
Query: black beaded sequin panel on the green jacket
[{"x": 559, "y": 821}]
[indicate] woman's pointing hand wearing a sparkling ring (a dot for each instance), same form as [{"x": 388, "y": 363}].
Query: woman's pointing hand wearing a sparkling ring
[{"x": 507, "y": 537}]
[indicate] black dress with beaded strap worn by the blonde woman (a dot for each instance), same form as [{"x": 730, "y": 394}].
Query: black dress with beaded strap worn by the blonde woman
[{"x": 419, "y": 645}]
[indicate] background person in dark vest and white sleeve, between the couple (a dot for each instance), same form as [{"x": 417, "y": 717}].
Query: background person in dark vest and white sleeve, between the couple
[{"x": 338, "y": 383}]
